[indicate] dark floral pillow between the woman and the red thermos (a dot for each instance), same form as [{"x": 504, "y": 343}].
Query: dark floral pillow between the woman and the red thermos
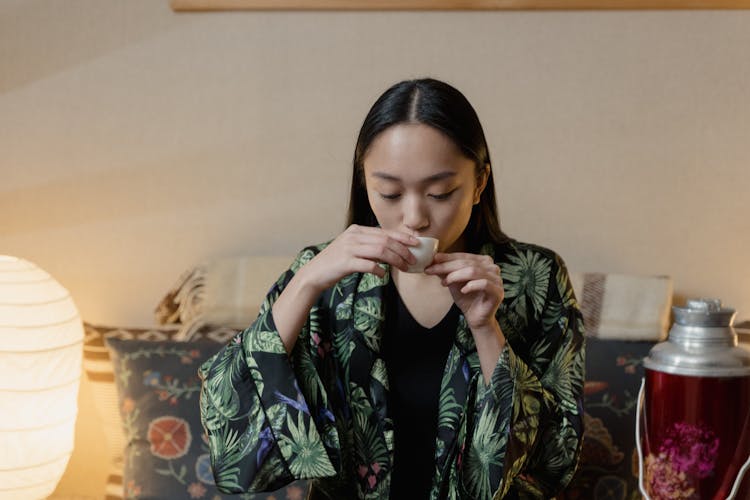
[{"x": 609, "y": 462}]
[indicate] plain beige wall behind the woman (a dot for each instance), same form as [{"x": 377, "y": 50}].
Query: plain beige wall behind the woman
[{"x": 135, "y": 142}]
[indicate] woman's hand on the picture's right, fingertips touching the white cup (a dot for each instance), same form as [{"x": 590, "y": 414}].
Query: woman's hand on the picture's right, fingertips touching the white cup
[{"x": 475, "y": 284}]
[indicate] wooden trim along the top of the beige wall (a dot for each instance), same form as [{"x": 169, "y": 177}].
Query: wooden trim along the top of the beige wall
[{"x": 204, "y": 5}]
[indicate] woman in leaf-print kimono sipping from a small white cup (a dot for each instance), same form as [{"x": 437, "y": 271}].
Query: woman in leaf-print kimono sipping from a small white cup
[{"x": 464, "y": 381}]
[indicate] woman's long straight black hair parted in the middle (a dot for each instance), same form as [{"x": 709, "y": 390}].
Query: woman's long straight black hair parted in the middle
[{"x": 444, "y": 108}]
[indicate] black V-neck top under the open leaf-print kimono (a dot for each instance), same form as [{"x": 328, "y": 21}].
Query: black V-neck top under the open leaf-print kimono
[{"x": 415, "y": 359}]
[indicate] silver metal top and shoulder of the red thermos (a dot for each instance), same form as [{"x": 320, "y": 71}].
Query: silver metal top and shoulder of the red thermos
[{"x": 702, "y": 342}]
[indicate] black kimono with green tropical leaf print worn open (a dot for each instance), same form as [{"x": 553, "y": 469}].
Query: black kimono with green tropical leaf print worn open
[{"x": 321, "y": 413}]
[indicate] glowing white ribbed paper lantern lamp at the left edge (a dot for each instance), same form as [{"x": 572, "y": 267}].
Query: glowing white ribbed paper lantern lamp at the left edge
[{"x": 41, "y": 338}]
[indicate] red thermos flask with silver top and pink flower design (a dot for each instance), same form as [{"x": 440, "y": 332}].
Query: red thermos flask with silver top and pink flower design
[{"x": 695, "y": 421}]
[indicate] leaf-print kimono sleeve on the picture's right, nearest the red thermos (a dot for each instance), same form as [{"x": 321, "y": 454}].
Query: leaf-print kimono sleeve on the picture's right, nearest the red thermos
[{"x": 524, "y": 429}]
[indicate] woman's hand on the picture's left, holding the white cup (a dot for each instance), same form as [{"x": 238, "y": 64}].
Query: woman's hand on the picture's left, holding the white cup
[{"x": 359, "y": 249}]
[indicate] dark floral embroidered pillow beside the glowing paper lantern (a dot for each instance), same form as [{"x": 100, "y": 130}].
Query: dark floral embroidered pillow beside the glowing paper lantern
[{"x": 166, "y": 455}]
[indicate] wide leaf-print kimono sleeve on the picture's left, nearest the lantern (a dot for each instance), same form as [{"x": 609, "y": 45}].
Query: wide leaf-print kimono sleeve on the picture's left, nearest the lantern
[{"x": 263, "y": 432}]
